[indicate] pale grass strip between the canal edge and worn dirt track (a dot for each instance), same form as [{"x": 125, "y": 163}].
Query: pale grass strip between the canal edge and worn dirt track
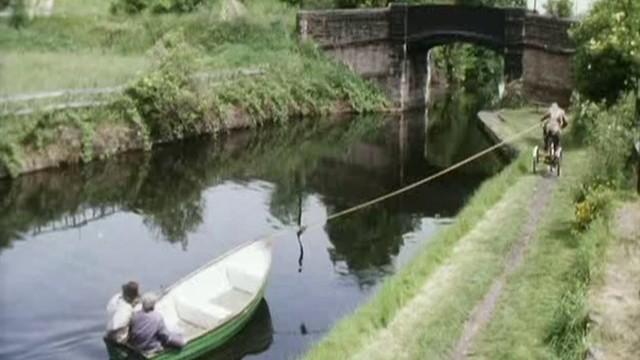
[{"x": 431, "y": 324}]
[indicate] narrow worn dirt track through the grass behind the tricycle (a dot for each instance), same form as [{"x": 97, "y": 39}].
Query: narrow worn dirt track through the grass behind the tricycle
[{"x": 483, "y": 312}]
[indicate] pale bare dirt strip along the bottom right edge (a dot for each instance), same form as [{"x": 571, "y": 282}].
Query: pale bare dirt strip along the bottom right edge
[{"x": 616, "y": 303}]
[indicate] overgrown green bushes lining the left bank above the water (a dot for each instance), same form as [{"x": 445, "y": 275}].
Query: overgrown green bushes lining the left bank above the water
[{"x": 174, "y": 100}]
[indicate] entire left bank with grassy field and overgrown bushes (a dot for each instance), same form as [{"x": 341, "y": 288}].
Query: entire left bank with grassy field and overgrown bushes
[{"x": 167, "y": 98}]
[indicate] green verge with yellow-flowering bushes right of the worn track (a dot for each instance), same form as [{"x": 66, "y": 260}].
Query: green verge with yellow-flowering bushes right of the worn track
[{"x": 544, "y": 312}]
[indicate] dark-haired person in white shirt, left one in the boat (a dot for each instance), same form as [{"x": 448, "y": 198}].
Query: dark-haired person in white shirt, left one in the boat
[{"x": 120, "y": 310}]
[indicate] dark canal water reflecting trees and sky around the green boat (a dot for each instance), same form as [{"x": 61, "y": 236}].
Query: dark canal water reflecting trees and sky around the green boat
[{"x": 69, "y": 238}]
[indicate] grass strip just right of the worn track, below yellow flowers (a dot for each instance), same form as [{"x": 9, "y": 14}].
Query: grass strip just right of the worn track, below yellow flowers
[{"x": 528, "y": 306}]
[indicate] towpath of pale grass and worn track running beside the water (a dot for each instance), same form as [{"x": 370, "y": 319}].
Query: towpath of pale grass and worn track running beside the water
[{"x": 512, "y": 222}]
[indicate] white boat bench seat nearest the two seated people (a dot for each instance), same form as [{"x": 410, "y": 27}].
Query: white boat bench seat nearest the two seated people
[{"x": 202, "y": 314}]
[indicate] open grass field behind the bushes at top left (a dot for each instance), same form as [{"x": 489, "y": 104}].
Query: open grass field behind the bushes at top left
[{"x": 81, "y": 44}]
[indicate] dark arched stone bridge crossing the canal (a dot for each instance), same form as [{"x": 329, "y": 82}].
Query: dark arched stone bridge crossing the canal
[{"x": 390, "y": 45}]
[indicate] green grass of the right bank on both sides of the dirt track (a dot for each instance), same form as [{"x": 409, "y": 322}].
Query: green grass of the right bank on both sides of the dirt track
[{"x": 542, "y": 309}]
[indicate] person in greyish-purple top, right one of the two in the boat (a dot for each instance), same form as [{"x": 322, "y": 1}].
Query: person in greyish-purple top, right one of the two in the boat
[{"x": 149, "y": 333}]
